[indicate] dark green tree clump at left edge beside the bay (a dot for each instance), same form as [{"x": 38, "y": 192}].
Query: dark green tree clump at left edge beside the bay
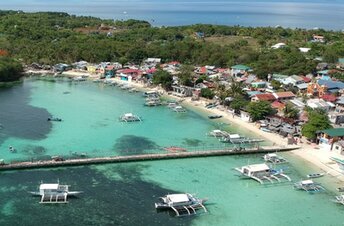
[{"x": 10, "y": 70}]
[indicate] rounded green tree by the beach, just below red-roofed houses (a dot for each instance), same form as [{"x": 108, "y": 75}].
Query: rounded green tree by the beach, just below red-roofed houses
[{"x": 259, "y": 110}]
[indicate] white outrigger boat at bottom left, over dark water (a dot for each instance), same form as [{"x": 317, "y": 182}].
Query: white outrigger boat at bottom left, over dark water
[{"x": 54, "y": 193}]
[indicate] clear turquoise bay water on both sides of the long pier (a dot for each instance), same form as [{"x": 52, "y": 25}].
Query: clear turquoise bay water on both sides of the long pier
[{"x": 124, "y": 194}]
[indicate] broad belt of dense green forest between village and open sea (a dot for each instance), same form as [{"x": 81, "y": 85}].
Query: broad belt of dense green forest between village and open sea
[{"x": 49, "y": 38}]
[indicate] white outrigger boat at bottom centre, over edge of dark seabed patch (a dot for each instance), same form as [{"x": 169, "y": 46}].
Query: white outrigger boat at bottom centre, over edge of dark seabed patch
[{"x": 181, "y": 204}]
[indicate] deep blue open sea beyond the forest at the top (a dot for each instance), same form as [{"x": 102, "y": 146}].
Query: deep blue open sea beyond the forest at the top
[{"x": 293, "y": 14}]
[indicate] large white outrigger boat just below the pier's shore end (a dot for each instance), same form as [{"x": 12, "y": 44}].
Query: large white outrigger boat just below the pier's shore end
[{"x": 262, "y": 172}]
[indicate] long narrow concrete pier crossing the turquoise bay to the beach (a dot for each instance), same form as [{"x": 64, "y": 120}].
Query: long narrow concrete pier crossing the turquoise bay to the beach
[{"x": 143, "y": 157}]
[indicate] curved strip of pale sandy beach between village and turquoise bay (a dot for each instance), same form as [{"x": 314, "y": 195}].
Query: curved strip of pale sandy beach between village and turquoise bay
[{"x": 311, "y": 154}]
